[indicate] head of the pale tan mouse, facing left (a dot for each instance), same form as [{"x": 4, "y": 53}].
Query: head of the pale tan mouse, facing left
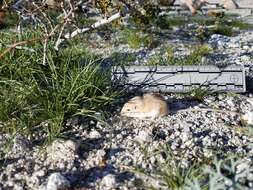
[{"x": 132, "y": 107}]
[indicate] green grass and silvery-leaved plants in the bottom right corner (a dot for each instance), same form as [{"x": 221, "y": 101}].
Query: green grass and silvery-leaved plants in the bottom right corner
[{"x": 208, "y": 174}]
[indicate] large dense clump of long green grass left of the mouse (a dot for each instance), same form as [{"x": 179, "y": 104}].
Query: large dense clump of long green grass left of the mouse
[{"x": 71, "y": 83}]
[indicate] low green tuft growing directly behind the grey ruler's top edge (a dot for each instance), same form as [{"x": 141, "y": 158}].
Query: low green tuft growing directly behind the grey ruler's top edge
[{"x": 168, "y": 57}]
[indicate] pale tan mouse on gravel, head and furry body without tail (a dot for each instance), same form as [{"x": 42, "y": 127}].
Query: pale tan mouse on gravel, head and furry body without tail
[{"x": 148, "y": 106}]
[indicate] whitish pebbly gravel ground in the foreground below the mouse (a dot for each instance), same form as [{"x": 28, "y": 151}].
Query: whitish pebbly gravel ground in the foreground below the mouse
[{"x": 104, "y": 156}]
